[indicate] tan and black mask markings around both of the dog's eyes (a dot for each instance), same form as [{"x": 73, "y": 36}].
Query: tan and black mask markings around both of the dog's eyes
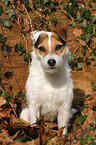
[{"x": 58, "y": 46}]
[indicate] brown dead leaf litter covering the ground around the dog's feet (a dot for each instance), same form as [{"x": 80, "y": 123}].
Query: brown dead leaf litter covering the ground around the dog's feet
[{"x": 15, "y": 131}]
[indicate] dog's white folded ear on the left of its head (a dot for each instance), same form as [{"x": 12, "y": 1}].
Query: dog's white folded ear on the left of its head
[{"x": 35, "y": 34}]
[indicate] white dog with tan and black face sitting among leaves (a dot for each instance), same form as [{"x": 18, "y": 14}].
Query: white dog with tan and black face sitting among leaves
[{"x": 49, "y": 87}]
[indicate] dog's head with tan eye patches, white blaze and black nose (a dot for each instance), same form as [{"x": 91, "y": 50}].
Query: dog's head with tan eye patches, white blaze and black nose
[{"x": 50, "y": 48}]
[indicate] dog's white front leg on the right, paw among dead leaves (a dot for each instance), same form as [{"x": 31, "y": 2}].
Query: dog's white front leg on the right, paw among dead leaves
[{"x": 63, "y": 117}]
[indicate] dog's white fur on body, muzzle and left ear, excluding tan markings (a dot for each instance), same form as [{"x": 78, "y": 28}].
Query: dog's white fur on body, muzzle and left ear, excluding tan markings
[{"x": 49, "y": 92}]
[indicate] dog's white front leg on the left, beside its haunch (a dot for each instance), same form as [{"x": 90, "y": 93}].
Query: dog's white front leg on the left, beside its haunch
[{"x": 33, "y": 114}]
